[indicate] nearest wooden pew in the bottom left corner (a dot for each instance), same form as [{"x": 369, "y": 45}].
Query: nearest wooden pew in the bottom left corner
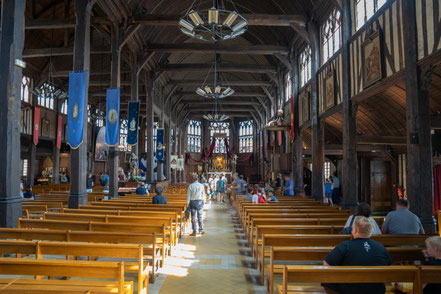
[{"x": 63, "y": 268}]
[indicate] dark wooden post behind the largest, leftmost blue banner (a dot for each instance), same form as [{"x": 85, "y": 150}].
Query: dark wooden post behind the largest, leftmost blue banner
[{"x": 78, "y": 157}]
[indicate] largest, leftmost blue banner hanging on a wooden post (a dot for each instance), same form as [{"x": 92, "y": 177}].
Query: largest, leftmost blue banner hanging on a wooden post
[{"x": 76, "y": 108}]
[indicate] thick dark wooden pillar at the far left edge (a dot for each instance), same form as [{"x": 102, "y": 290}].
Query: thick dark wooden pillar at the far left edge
[{"x": 11, "y": 47}]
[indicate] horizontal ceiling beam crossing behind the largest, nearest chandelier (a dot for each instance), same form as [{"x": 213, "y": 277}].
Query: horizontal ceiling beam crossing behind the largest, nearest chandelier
[{"x": 269, "y": 20}]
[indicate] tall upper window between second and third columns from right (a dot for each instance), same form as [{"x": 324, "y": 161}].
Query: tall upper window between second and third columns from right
[{"x": 331, "y": 35}]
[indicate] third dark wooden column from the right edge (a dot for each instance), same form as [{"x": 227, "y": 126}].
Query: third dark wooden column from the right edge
[{"x": 317, "y": 126}]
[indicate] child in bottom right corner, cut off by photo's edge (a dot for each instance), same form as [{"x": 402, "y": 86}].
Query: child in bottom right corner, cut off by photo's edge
[{"x": 433, "y": 255}]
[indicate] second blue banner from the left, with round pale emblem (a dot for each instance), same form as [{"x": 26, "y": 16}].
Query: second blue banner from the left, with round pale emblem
[{"x": 112, "y": 117}]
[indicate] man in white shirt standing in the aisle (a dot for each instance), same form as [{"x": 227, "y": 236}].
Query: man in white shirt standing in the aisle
[{"x": 195, "y": 200}]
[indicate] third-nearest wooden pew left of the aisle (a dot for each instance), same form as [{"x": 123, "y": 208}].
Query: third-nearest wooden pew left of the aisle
[{"x": 150, "y": 249}]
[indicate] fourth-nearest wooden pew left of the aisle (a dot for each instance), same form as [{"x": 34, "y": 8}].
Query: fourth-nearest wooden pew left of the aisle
[{"x": 160, "y": 231}]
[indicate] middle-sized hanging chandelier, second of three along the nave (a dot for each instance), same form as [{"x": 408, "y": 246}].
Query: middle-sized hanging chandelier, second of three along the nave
[{"x": 214, "y": 90}]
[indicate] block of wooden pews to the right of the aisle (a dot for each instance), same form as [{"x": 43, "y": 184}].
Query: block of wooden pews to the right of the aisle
[{"x": 301, "y": 231}]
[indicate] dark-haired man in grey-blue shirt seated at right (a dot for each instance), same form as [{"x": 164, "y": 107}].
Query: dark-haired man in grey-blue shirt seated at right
[{"x": 402, "y": 221}]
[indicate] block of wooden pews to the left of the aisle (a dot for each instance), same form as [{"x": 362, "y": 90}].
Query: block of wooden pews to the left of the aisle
[{"x": 107, "y": 246}]
